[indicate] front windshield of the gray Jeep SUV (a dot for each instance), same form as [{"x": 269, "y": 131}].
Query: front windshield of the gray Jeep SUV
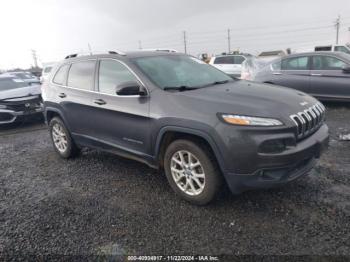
[{"x": 179, "y": 71}]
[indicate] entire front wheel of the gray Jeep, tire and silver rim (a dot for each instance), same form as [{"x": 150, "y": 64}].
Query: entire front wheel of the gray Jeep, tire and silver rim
[{"x": 205, "y": 176}]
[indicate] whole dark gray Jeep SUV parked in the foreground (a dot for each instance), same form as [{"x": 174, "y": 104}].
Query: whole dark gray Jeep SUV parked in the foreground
[{"x": 179, "y": 115}]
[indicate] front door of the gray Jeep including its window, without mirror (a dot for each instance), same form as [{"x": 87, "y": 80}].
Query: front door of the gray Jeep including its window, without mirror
[{"x": 122, "y": 121}]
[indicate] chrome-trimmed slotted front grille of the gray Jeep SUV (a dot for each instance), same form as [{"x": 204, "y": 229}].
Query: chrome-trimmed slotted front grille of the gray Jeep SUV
[{"x": 309, "y": 120}]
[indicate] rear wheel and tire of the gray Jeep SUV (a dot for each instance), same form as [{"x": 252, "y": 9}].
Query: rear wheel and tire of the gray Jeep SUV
[{"x": 58, "y": 131}]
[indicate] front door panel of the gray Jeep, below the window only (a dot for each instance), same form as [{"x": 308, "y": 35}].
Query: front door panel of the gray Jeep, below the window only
[{"x": 122, "y": 121}]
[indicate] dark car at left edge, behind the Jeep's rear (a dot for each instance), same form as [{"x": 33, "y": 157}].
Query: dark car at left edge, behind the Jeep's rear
[{"x": 18, "y": 99}]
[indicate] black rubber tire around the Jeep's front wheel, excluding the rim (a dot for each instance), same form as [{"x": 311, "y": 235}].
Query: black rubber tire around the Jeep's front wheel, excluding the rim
[{"x": 212, "y": 173}]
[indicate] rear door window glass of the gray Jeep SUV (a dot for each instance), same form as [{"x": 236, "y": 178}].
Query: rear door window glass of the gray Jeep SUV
[{"x": 81, "y": 75}]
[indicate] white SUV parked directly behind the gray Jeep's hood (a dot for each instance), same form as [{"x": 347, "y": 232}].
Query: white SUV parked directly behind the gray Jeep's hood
[{"x": 229, "y": 64}]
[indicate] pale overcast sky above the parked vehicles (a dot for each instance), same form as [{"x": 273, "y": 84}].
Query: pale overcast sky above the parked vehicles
[{"x": 56, "y": 28}]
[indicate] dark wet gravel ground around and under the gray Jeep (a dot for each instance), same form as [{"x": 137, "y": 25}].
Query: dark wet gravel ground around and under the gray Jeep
[{"x": 99, "y": 203}]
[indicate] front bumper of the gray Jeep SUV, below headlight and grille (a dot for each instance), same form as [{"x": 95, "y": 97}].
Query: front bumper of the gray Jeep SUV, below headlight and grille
[{"x": 278, "y": 169}]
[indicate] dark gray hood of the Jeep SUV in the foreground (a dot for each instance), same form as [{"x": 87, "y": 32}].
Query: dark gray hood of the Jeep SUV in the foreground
[{"x": 249, "y": 98}]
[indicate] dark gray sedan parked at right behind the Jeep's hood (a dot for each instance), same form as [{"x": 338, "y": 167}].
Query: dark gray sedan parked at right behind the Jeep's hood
[{"x": 325, "y": 75}]
